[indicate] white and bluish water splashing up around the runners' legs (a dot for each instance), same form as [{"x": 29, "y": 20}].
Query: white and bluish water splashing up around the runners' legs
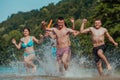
[{"x": 47, "y": 65}]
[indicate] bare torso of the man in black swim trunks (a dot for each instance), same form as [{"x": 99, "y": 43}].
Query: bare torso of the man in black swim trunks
[{"x": 98, "y": 36}]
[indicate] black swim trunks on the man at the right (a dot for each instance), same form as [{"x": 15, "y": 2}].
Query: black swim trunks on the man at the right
[{"x": 95, "y": 51}]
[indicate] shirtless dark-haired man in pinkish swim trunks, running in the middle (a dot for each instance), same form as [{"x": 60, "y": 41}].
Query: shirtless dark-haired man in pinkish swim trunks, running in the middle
[{"x": 63, "y": 42}]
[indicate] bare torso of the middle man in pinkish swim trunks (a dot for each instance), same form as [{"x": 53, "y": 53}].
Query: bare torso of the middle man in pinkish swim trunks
[{"x": 62, "y": 38}]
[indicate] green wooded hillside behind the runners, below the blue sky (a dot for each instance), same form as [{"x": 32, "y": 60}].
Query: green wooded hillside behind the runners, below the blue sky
[{"x": 106, "y": 10}]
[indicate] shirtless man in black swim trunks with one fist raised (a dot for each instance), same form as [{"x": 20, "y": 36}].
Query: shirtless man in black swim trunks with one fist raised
[{"x": 98, "y": 35}]
